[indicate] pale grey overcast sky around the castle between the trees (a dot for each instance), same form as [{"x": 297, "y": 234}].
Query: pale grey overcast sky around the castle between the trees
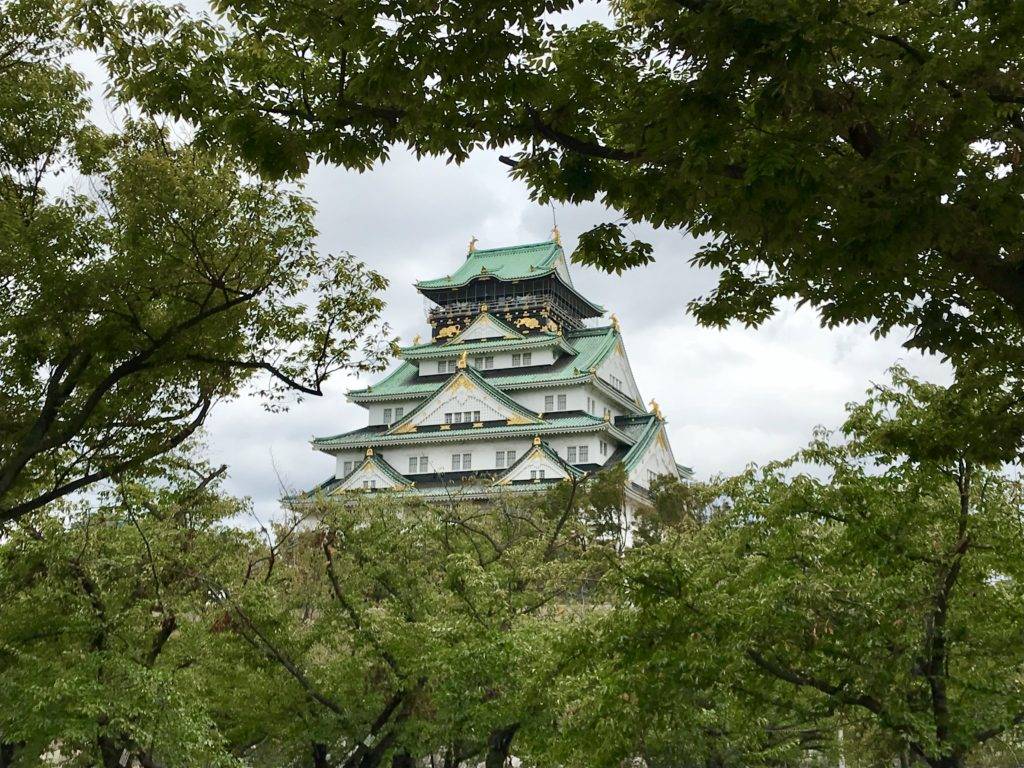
[{"x": 731, "y": 397}]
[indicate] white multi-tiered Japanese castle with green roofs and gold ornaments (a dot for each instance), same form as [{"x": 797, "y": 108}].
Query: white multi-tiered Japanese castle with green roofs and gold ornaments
[{"x": 521, "y": 386}]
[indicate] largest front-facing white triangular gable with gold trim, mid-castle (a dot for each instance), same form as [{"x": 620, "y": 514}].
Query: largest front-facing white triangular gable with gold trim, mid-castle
[{"x": 467, "y": 395}]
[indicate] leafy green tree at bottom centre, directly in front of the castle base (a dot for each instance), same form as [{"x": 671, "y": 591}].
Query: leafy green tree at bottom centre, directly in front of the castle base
[{"x": 393, "y": 631}]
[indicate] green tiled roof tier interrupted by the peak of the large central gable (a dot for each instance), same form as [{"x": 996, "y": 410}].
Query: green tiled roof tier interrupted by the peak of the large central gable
[{"x": 591, "y": 347}]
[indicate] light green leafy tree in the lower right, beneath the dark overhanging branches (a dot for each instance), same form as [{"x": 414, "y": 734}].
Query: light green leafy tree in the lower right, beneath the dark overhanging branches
[{"x": 884, "y": 590}]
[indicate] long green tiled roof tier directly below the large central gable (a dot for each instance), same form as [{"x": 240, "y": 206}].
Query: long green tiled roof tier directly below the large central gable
[{"x": 369, "y": 437}]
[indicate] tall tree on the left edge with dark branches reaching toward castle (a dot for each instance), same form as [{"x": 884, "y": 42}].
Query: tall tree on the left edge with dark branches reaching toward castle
[{"x": 133, "y": 308}]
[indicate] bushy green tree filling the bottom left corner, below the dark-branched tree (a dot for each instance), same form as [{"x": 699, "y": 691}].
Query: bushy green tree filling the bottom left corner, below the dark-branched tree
[{"x": 110, "y": 649}]
